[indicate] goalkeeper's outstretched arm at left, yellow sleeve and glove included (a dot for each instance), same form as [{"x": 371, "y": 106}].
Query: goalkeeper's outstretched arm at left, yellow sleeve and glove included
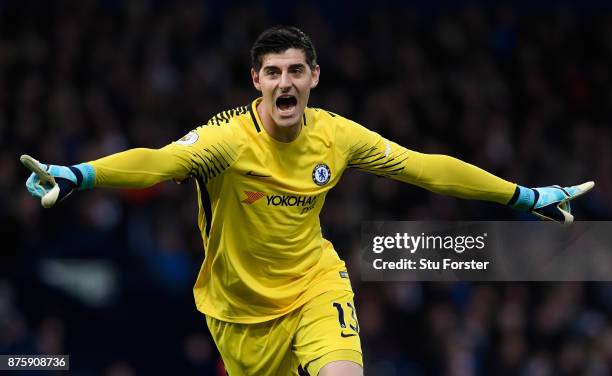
[{"x": 204, "y": 152}]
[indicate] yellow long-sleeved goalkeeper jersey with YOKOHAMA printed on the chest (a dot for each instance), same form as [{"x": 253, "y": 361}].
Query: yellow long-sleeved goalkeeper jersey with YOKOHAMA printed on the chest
[{"x": 260, "y": 199}]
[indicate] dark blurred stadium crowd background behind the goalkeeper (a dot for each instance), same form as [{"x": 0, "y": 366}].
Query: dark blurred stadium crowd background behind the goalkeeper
[{"x": 522, "y": 90}]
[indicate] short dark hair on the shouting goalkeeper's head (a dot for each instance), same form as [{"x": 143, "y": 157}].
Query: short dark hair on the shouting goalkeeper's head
[{"x": 278, "y": 39}]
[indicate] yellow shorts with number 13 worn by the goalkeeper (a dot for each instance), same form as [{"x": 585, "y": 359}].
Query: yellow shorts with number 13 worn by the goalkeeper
[{"x": 323, "y": 330}]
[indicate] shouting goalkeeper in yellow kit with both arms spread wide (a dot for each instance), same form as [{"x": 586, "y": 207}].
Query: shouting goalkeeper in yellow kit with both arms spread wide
[{"x": 276, "y": 296}]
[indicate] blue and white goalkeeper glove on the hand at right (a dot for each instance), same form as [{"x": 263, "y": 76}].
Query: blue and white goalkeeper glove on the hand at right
[{"x": 549, "y": 203}]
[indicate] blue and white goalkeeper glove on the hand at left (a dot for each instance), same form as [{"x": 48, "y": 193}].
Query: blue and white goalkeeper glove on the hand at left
[{"x": 53, "y": 183}]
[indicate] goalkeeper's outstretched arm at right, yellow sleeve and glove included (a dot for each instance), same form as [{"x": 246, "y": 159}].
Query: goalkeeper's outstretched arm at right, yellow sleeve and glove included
[{"x": 368, "y": 151}]
